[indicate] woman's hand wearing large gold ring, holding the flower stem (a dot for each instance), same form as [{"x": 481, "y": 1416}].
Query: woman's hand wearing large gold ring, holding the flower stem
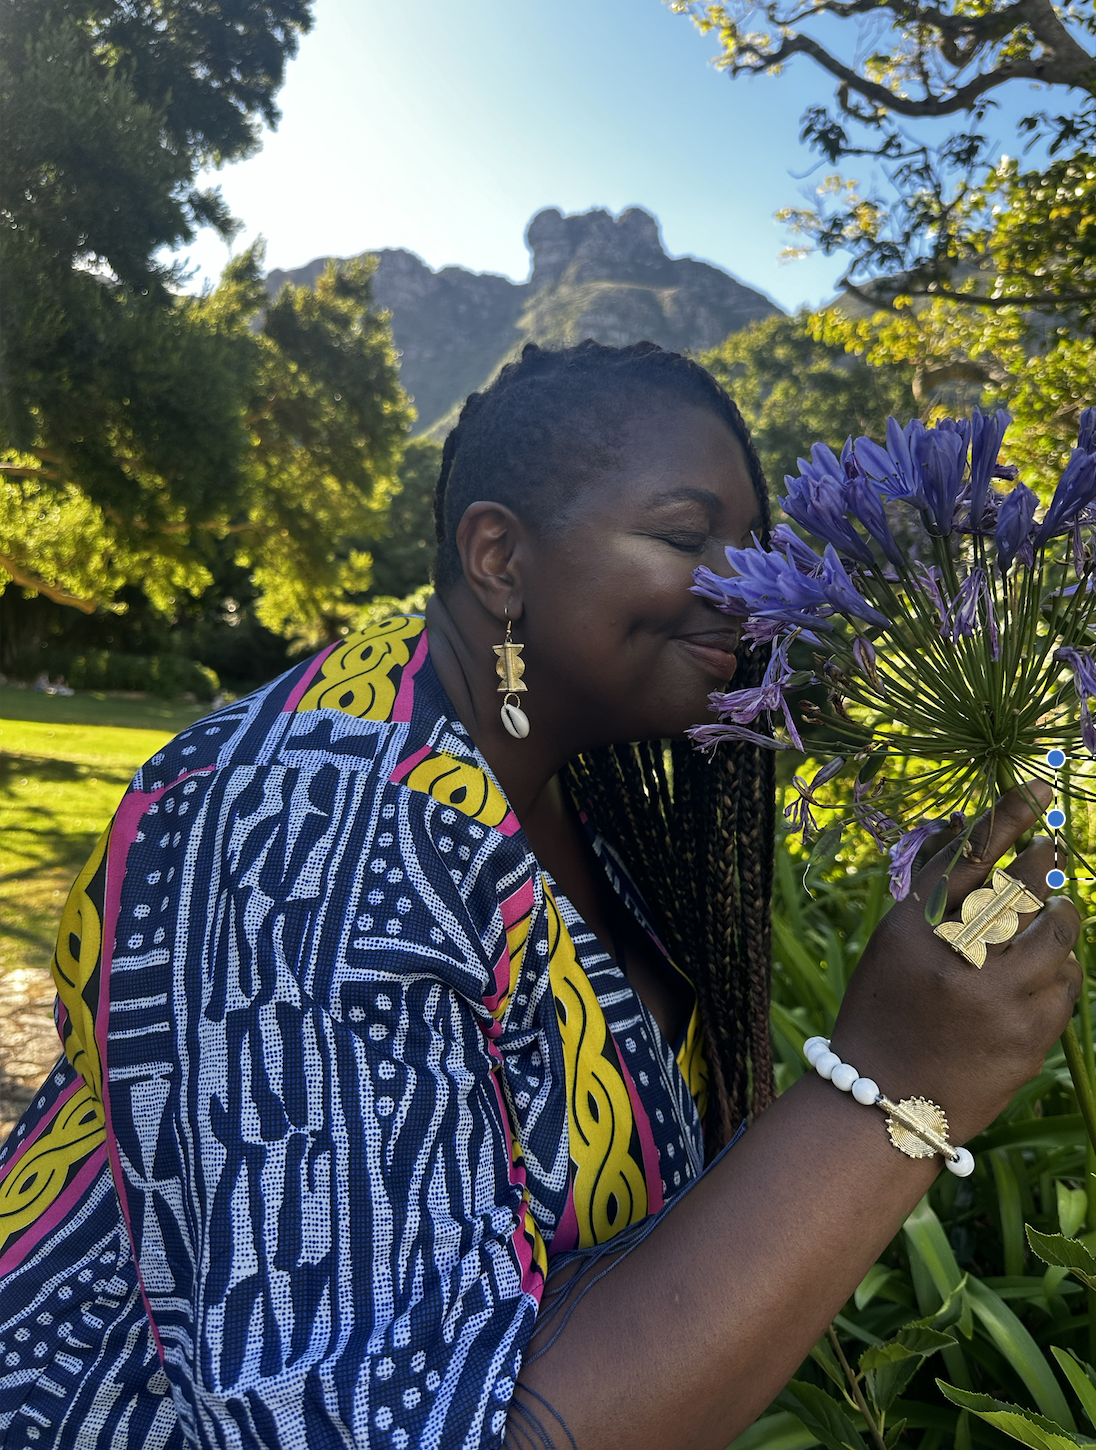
[{"x": 921, "y": 1022}]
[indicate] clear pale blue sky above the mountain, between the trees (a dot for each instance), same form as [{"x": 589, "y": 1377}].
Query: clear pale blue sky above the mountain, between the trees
[{"x": 444, "y": 127}]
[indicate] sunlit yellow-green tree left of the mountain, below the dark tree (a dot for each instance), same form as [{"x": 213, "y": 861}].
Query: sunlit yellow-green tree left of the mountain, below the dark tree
[{"x": 278, "y": 427}]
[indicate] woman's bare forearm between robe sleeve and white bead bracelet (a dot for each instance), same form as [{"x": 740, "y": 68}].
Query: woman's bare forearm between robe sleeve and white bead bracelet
[{"x": 697, "y": 1330}]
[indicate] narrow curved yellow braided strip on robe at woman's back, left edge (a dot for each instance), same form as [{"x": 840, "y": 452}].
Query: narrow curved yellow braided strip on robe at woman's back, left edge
[{"x": 78, "y": 958}]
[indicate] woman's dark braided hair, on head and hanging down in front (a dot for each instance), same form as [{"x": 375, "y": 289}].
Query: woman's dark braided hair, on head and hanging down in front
[{"x": 697, "y": 833}]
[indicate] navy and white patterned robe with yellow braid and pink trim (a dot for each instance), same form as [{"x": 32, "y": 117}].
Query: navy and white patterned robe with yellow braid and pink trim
[{"x": 343, "y": 1074}]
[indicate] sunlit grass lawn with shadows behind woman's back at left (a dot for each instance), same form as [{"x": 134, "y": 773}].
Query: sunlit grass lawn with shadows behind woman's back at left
[{"x": 65, "y": 765}]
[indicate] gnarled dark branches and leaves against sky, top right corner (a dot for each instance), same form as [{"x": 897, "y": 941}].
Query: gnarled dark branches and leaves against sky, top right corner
[{"x": 956, "y": 218}]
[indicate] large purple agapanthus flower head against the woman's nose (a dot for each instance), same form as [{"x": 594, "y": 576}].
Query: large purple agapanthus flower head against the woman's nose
[{"x": 933, "y": 631}]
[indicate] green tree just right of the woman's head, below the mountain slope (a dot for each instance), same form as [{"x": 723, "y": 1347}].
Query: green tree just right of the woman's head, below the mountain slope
[{"x": 795, "y": 389}]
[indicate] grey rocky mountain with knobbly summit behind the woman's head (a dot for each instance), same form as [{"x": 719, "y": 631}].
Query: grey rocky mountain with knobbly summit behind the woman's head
[{"x": 594, "y": 276}]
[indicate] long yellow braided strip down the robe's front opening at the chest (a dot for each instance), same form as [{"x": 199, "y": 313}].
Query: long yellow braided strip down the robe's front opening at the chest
[{"x": 610, "y": 1181}]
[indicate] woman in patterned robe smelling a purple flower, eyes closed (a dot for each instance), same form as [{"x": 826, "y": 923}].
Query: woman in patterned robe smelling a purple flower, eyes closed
[{"x": 399, "y": 1026}]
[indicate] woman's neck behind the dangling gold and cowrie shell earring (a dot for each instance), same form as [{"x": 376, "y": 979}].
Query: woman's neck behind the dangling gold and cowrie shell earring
[{"x": 462, "y": 637}]
